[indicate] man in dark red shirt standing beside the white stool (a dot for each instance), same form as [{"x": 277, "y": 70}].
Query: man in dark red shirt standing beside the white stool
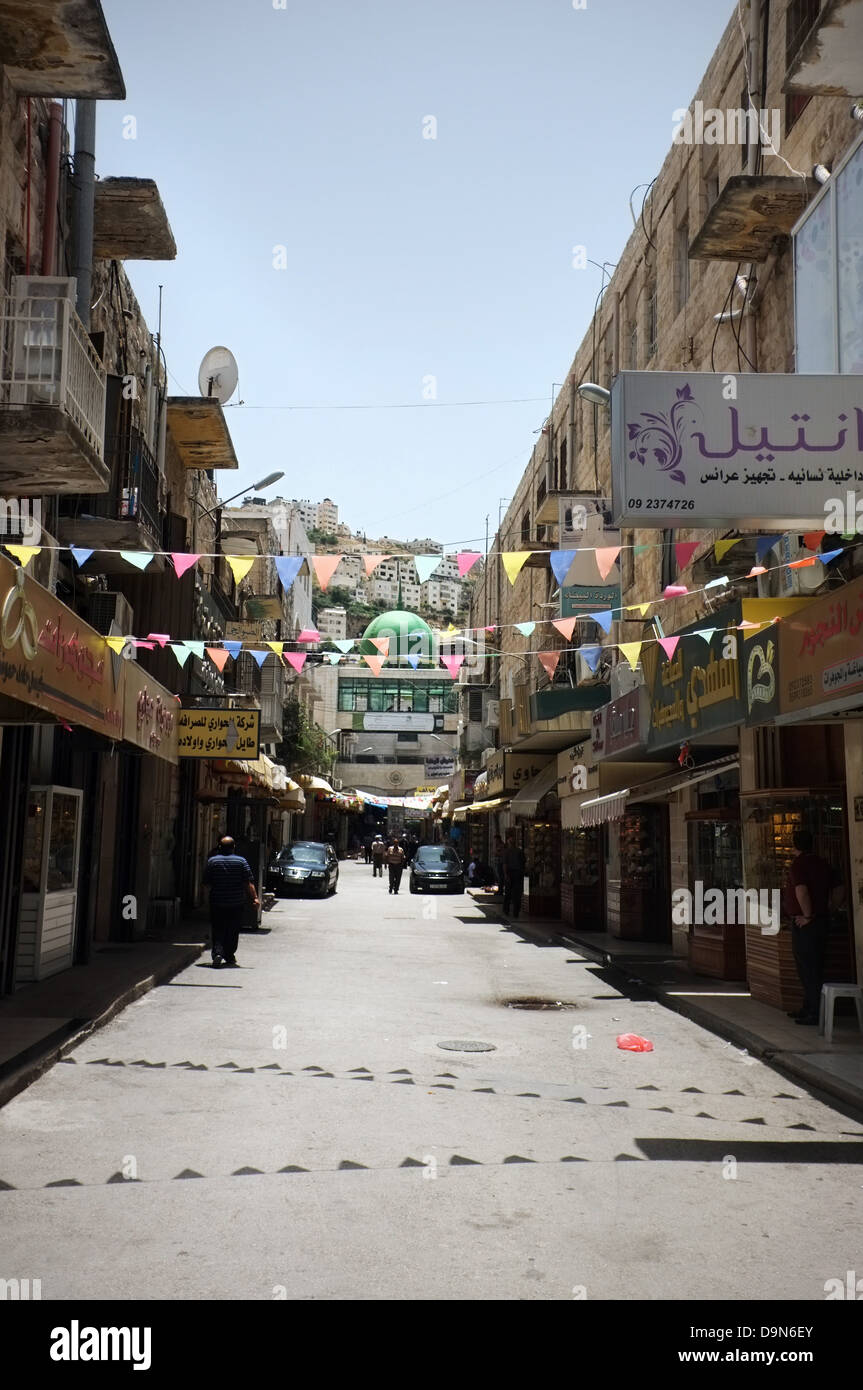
[{"x": 807, "y": 901}]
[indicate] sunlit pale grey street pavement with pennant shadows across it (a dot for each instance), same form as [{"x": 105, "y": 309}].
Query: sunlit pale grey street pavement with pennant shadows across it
[{"x": 186, "y": 1153}]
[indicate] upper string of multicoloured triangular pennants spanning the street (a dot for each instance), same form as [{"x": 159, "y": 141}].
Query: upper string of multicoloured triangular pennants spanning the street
[{"x": 326, "y": 566}]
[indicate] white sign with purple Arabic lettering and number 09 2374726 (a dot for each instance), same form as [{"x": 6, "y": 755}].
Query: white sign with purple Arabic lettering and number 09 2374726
[{"x": 758, "y": 450}]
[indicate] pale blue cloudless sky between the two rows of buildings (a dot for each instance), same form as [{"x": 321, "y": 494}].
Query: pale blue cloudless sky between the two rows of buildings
[{"x": 406, "y": 258}]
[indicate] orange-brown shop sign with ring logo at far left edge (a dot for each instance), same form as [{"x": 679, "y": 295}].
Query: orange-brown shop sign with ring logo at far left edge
[{"x": 51, "y": 660}]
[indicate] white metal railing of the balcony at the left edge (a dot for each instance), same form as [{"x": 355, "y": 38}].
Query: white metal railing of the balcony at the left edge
[{"x": 48, "y": 359}]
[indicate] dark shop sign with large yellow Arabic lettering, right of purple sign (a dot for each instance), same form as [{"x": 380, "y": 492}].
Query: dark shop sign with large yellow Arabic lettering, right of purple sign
[{"x": 697, "y": 692}]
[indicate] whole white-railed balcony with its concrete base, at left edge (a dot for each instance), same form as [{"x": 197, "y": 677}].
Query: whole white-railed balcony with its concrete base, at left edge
[{"x": 52, "y": 394}]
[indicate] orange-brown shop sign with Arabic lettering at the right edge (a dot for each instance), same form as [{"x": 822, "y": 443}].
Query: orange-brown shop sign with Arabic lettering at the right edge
[{"x": 822, "y": 653}]
